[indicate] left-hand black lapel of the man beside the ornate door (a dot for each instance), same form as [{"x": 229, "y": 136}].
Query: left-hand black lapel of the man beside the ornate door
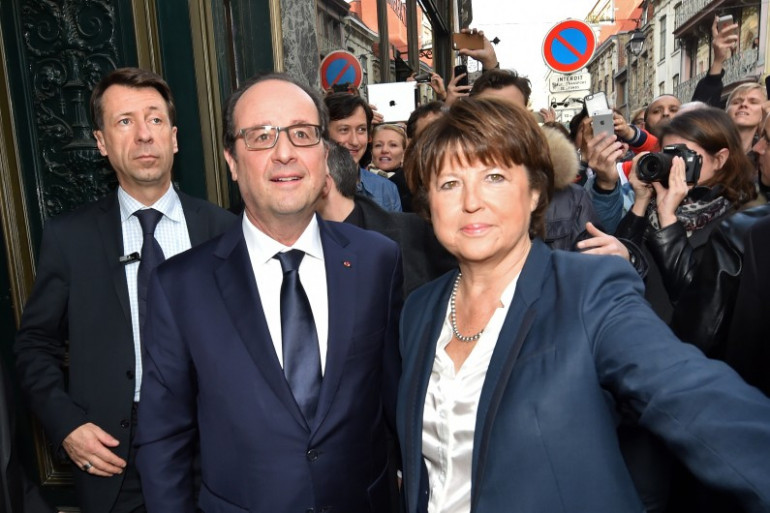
[{"x": 111, "y": 236}]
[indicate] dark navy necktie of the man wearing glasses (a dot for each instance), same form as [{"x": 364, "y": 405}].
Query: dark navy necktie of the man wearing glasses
[{"x": 301, "y": 356}]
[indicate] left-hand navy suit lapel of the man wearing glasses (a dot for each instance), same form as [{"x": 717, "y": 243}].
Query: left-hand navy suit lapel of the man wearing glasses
[{"x": 235, "y": 278}]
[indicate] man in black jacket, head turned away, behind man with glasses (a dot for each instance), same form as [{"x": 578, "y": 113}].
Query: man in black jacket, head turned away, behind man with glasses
[{"x": 423, "y": 257}]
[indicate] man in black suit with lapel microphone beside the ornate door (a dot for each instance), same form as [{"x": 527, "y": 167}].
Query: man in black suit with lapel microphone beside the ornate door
[{"x": 87, "y": 298}]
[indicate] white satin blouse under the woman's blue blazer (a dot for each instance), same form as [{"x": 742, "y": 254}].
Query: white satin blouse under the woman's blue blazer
[{"x": 449, "y": 418}]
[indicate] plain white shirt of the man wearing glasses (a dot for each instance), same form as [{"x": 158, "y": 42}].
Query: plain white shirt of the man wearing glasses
[{"x": 269, "y": 277}]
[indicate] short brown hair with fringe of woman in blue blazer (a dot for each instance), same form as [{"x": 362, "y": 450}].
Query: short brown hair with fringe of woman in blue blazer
[{"x": 487, "y": 131}]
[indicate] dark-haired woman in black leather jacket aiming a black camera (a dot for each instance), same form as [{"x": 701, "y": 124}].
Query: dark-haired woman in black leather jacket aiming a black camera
[{"x": 675, "y": 210}]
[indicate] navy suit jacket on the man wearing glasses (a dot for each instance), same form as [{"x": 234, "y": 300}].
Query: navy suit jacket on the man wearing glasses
[{"x": 211, "y": 373}]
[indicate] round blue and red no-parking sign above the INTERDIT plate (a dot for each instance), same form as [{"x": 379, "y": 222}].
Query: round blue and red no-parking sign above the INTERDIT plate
[{"x": 568, "y": 46}]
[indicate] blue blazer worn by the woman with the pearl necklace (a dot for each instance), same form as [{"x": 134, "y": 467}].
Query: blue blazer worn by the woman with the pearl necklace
[{"x": 578, "y": 343}]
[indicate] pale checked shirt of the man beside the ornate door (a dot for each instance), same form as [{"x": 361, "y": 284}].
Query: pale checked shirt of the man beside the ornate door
[{"x": 171, "y": 233}]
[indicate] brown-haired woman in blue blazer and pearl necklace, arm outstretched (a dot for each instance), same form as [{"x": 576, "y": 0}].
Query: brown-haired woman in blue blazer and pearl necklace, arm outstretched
[{"x": 515, "y": 367}]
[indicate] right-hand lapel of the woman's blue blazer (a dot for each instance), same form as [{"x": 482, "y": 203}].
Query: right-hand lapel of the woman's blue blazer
[{"x": 513, "y": 334}]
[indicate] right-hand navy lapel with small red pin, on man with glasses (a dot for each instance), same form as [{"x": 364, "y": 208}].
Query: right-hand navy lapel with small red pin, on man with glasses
[{"x": 341, "y": 281}]
